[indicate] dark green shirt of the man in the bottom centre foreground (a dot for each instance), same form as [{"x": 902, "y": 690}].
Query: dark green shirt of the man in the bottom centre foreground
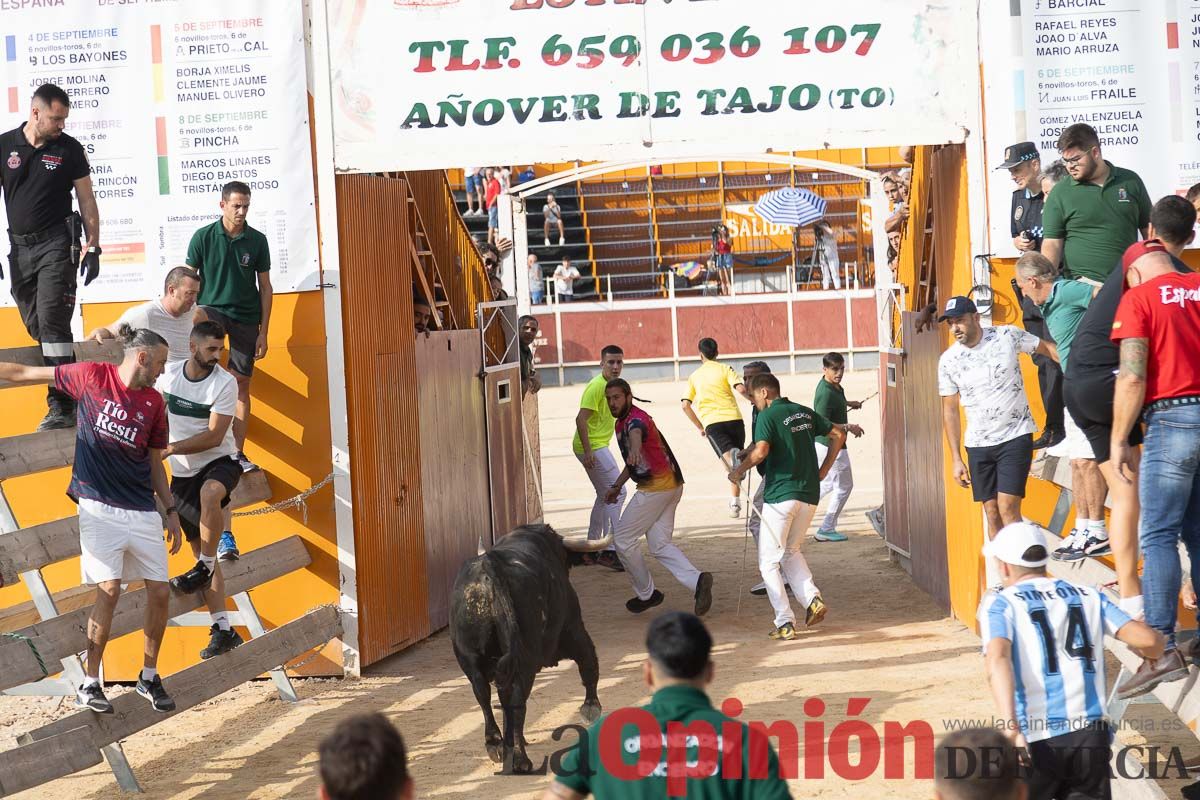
[{"x": 689, "y": 707}]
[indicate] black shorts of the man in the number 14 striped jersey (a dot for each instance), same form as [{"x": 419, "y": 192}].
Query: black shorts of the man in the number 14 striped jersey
[{"x": 1072, "y": 766}]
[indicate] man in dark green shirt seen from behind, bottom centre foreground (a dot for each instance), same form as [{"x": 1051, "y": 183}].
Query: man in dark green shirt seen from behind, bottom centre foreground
[{"x": 635, "y": 763}]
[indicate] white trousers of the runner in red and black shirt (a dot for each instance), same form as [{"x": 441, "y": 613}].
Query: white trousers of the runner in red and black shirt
[{"x": 652, "y": 515}]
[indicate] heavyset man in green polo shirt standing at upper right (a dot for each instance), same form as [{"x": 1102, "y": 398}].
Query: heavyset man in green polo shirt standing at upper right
[{"x": 1093, "y": 218}]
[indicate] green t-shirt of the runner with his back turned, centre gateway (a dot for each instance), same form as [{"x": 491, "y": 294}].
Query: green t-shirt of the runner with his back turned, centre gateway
[{"x": 791, "y": 431}]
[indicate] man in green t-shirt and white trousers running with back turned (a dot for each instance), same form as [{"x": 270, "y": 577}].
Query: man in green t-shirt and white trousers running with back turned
[{"x": 785, "y": 443}]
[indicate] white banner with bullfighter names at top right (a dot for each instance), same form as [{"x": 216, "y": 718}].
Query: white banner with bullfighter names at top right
[{"x": 1130, "y": 69}]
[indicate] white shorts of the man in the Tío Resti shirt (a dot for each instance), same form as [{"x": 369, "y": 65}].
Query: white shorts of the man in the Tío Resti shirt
[{"x": 121, "y": 545}]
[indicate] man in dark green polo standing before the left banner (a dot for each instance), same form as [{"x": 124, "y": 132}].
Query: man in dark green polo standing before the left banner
[{"x": 236, "y": 291}]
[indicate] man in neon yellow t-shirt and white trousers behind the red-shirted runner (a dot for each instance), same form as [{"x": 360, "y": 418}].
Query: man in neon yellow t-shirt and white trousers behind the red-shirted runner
[{"x": 593, "y": 431}]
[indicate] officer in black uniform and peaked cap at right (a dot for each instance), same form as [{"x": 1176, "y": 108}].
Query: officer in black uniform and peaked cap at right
[{"x": 1024, "y": 164}]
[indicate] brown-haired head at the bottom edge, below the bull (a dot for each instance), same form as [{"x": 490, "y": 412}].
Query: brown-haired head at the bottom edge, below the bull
[{"x": 365, "y": 759}]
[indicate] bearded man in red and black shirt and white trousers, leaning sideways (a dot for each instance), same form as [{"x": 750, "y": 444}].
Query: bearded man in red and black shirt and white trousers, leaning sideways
[{"x": 651, "y": 513}]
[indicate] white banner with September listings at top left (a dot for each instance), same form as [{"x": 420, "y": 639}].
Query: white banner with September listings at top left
[{"x": 172, "y": 101}]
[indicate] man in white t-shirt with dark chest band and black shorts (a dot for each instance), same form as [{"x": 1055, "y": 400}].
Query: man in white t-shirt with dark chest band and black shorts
[{"x": 201, "y": 400}]
